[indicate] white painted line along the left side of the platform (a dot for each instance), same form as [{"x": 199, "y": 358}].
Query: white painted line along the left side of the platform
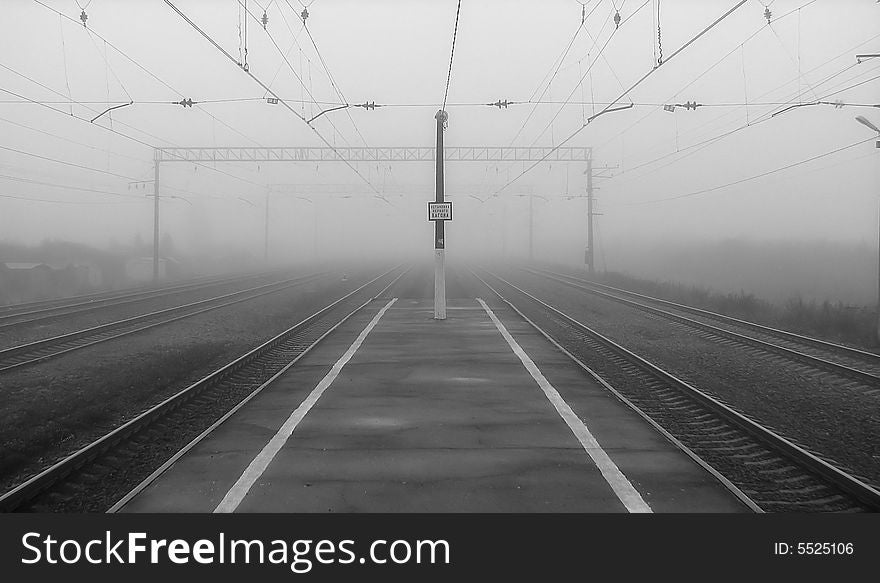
[{"x": 259, "y": 464}]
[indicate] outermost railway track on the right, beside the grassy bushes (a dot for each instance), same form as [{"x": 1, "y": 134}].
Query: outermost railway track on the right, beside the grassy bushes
[{"x": 856, "y": 369}]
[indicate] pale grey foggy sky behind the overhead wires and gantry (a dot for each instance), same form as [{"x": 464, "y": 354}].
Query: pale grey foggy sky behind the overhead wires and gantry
[{"x": 779, "y": 205}]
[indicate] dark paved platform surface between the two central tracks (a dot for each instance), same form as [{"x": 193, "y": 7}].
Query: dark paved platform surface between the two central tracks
[{"x": 434, "y": 416}]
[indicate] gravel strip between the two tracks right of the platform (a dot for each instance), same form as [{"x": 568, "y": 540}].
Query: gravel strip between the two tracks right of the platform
[{"x": 812, "y": 409}]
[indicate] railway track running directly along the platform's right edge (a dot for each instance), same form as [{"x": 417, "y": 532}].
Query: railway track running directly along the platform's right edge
[{"x": 773, "y": 472}]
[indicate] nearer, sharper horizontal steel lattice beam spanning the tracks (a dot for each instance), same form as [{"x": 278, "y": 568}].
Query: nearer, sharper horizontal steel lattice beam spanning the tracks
[{"x": 345, "y": 154}]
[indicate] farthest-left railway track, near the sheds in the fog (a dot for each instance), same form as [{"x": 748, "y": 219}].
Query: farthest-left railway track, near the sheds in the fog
[{"x": 31, "y": 314}]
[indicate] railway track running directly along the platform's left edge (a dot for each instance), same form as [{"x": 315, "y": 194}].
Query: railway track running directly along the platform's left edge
[{"x": 119, "y": 464}]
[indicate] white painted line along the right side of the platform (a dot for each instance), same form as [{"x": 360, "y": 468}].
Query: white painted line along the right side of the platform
[{"x": 622, "y": 487}]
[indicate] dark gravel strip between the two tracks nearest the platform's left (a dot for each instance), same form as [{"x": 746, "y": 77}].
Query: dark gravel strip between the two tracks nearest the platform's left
[{"x": 52, "y": 409}]
